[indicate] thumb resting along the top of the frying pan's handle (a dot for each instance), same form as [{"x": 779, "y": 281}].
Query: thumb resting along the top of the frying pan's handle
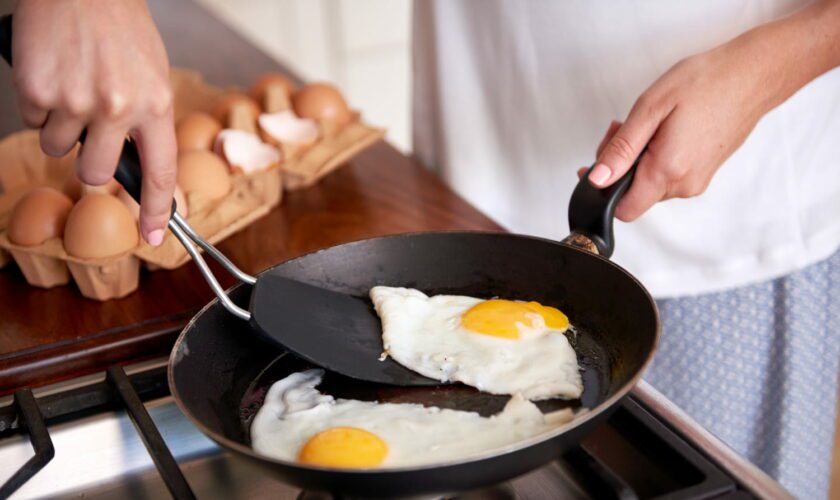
[{"x": 627, "y": 143}]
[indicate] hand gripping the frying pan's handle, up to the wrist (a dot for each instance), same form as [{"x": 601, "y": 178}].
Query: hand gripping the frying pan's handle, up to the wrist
[{"x": 691, "y": 120}]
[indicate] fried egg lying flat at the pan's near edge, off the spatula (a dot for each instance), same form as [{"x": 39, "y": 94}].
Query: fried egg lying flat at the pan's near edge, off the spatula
[{"x": 299, "y": 423}]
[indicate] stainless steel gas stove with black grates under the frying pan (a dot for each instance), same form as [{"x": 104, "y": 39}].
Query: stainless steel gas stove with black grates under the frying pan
[{"x": 120, "y": 435}]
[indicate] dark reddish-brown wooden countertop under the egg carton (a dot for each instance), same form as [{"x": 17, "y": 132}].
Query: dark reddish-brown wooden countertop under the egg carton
[{"x": 49, "y": 335}]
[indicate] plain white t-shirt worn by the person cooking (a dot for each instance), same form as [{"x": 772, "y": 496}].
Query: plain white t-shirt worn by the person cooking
[{"x": 512, "y": 97}]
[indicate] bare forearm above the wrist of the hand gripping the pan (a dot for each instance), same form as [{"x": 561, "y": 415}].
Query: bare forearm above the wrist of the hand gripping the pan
[{"x": 789, "y": 53}]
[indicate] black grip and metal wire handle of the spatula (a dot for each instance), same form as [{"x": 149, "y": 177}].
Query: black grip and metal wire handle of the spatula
[{"x": 130, "y": 176}]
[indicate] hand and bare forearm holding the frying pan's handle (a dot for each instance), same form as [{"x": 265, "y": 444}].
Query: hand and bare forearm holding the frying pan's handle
[{"x": 700, "y": 111}]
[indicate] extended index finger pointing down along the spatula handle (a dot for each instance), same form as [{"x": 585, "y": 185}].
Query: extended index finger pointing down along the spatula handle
[{"x": 156, "y": 145}]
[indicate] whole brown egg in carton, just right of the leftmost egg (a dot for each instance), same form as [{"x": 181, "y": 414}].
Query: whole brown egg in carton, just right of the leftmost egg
[{"x": 99, "y": 226}]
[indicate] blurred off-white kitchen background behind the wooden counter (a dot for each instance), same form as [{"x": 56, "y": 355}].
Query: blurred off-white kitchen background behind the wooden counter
[{"x": 363, "y": 46}]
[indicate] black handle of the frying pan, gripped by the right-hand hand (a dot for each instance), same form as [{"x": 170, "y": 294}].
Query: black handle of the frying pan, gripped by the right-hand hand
[{"x": 591, "y": 212}]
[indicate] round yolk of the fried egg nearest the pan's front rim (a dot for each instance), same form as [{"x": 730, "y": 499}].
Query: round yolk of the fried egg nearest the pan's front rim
[{"x": 344, "y": 447}]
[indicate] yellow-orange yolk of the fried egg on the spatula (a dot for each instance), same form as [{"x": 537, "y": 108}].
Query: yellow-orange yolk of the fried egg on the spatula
[{"x": 502, "y": 318}]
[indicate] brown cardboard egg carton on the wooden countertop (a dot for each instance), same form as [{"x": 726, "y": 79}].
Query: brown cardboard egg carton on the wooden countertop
[{"x": 252, "y": 196}]
